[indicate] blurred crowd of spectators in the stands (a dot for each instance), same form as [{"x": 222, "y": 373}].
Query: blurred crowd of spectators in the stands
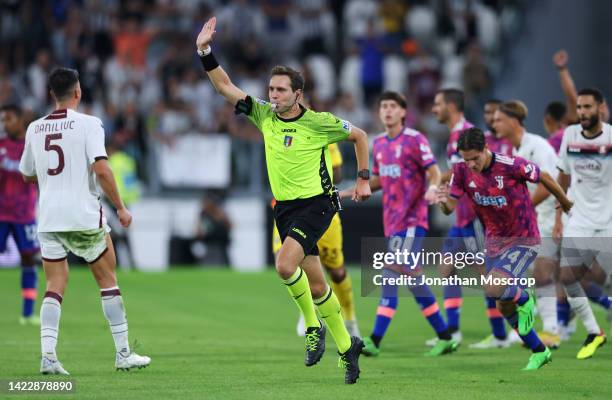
[{"x": 140, "y": 74}]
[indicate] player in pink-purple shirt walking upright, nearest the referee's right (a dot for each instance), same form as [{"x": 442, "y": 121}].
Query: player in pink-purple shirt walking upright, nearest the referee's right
[{"x": 406, "y": 172}]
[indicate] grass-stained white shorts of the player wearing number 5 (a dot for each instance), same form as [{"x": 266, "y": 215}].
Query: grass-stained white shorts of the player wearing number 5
[{"x": 89, "y": 244}]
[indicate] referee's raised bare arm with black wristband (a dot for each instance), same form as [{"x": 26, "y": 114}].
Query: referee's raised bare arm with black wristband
[{"x": 217, "y": 75}]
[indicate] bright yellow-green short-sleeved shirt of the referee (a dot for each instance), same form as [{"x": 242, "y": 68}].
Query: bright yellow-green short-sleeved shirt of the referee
[{"x": 297, "y": 157}]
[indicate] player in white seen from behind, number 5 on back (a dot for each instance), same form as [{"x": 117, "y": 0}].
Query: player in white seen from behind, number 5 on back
[{"x": 65, "y": 154}]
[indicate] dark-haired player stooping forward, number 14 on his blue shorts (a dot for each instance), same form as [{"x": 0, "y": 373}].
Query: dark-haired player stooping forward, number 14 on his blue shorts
[{"x": 497, "y": 187}]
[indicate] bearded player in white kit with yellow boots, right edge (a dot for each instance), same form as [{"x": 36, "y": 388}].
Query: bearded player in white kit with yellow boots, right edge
[{"x": 586, "y": 165}]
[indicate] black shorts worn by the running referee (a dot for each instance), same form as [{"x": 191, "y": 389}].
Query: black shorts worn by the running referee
[{"x": 305, "y": 220}]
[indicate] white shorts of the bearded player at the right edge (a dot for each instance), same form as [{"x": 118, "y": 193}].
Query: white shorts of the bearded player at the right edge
[{"x": 582, "y": 246}]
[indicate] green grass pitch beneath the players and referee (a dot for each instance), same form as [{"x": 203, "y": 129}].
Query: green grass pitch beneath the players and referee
[{"x": 220, "y": 334}]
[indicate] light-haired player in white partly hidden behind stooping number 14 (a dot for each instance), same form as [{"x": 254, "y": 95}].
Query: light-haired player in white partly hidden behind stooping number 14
[{"x": 508, "y": 123}]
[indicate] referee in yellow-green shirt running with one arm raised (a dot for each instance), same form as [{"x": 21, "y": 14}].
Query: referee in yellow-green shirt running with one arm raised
[{"x": 299, "y": 167}]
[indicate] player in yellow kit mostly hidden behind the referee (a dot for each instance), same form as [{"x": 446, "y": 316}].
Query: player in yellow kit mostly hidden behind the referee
[{"x": 332, "y": 257}]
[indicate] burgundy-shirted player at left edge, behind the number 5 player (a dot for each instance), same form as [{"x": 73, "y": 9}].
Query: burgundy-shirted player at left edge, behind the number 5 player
[{"x": 18, "y": 207}]
